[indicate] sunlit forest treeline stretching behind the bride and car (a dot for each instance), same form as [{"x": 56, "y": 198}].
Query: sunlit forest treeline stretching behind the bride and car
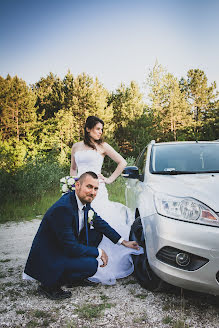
[{"x": 46, "y": 118}]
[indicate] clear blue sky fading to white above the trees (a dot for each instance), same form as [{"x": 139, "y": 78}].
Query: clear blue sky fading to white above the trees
[{"x": 115, "y": 40}]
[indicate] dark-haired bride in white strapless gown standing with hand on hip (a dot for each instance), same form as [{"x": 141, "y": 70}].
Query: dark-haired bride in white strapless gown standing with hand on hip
[{"x": 88, "y": 155}]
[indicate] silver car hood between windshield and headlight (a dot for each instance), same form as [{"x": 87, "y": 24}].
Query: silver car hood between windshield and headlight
[{"x": 203, "y": 187}]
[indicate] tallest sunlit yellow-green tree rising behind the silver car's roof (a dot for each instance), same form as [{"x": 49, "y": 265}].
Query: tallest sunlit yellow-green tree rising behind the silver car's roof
[{"x": 168, "y": 105}]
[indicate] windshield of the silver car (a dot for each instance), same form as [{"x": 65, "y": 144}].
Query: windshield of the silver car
[{"x": 185, "y": 158}]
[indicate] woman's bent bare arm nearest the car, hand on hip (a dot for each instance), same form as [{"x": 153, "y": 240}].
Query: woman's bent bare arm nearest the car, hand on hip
[{"x": 116, "y": 157}]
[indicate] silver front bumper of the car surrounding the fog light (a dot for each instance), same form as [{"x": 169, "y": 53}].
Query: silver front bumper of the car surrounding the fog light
[{"x": 193, "y": 238}]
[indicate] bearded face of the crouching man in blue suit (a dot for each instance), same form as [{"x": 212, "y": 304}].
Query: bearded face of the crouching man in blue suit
[{"x": 87, "y": 190}]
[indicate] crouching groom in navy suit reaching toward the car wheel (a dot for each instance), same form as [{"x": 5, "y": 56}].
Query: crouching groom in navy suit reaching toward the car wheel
[{"x": 64, "y": 250}]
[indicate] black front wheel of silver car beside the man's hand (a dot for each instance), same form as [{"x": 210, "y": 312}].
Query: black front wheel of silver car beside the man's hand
[{"x": 145, "y": 276}]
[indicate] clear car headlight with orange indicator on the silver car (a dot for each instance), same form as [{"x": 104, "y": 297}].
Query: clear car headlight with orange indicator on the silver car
[{"x": 186, "y": 209}]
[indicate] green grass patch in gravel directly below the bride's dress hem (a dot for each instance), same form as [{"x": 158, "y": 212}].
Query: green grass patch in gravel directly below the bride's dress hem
[{"x": 92, "y": 311}]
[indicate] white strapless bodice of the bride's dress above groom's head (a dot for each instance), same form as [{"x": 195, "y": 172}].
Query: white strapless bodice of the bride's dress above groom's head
[{"x": 88, "y": 160}]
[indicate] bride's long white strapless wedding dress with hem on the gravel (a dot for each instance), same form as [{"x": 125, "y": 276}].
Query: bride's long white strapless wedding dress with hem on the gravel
[{"x": 117, "y": 215}]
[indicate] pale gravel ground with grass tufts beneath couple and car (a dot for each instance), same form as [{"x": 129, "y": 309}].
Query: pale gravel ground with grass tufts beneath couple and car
[{"x": 125, "y": 304}]
